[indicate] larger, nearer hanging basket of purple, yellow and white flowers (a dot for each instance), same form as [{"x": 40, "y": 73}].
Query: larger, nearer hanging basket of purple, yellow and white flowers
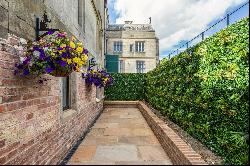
[{"x": 54, "y": 54}]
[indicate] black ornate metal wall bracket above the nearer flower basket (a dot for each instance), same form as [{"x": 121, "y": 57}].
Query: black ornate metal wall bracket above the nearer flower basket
[{"x": 43, "y": 26}]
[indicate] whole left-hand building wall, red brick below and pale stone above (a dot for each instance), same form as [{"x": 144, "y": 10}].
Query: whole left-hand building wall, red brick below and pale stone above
[{"x": 34, "y": 127}]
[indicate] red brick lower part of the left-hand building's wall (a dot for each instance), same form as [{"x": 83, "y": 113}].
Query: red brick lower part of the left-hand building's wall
[{"x": 33, "y": 127}]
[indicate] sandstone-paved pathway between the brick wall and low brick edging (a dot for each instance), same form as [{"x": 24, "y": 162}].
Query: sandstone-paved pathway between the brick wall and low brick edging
[{"x": 121, "y": 136}]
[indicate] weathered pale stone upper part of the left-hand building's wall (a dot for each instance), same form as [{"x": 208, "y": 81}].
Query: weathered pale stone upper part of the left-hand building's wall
[{"x": 20, "y": 16}]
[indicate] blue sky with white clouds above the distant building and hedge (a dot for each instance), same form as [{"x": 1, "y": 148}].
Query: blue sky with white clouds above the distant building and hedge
[{"x": 176, "y": 21}]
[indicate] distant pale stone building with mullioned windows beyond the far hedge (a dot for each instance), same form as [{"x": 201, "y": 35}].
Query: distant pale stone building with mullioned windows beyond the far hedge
[{"x": 131, "y": 48}]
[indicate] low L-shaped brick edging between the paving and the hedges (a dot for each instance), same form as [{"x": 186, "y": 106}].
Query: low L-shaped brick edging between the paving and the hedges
[{"x": 178, "y": 151}]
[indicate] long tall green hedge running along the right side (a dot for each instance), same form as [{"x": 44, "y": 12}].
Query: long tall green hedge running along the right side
[{"x": 205, "y": 90}]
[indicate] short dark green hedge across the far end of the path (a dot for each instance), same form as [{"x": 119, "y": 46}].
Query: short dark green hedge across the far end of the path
[{"x": 127, "y": 87}]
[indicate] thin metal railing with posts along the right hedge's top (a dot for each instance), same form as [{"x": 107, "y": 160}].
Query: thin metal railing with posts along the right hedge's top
[{"x": 229, "y": 19}]
